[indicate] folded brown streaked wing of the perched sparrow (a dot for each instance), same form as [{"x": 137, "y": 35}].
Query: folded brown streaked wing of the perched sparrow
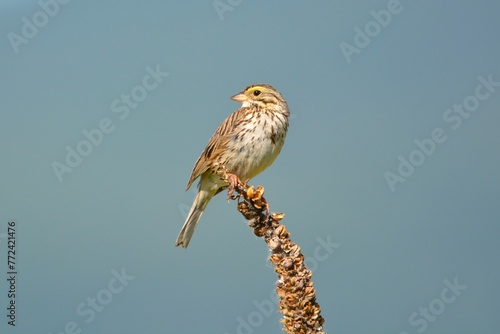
[{"x": 217, "y": 143}]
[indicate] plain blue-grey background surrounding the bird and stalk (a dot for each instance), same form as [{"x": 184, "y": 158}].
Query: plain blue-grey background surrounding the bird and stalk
[{"x": 391, "y": 250}]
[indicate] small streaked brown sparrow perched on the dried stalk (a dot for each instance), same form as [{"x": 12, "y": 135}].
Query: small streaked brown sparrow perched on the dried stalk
[{"x": 244, "y": 145}]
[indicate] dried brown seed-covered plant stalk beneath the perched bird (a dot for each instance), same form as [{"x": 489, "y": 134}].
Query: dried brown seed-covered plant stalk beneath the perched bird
[{"x": 296, "y": 294}]
